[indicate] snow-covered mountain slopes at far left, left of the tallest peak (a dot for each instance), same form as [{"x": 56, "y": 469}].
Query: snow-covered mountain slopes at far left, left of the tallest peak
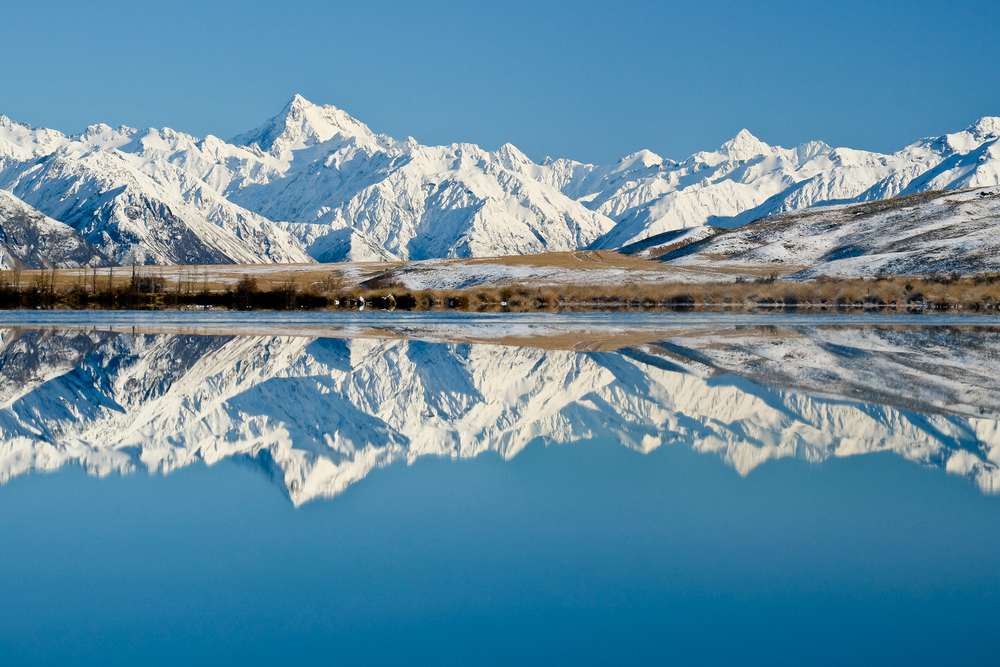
[{"x": 115, "y": 189}]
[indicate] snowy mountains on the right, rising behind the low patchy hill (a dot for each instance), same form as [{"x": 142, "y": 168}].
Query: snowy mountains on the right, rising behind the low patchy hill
[{"x": 746, "y": 179}]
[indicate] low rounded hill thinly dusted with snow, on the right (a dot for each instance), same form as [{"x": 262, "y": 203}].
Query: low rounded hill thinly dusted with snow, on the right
[{"x": 931, "y": 232}]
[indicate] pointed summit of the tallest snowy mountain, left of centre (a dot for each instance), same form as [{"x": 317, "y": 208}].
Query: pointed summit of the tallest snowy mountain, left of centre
[{"x": 302, "y": 124}]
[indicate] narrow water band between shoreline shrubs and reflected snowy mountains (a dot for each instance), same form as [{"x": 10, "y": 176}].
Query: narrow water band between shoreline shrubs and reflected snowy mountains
[{"x": 580, "y": 331}]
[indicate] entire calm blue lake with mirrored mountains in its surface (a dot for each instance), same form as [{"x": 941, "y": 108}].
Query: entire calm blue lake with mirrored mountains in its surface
[{"x": 221, "y": 488}]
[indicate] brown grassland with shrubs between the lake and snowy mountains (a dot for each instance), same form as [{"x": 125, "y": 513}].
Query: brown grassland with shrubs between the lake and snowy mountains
[{"x": 304, "y": 287}]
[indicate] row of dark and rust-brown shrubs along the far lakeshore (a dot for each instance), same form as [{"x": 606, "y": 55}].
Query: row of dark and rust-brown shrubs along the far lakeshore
[{"x": 928, "y": 293}]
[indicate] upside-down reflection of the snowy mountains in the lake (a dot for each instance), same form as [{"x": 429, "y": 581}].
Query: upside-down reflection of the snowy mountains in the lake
[{"x": 319, "y": 414}]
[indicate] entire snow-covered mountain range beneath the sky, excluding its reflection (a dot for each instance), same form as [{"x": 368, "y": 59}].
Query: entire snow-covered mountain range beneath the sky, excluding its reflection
[{"x": 314, "y": 183}]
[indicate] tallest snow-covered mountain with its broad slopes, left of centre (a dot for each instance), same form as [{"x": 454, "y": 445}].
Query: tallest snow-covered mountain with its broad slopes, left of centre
[{"x": 353, "y": 194}]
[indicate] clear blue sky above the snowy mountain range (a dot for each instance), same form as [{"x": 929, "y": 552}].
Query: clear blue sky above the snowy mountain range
[{"x": 591, "y": 80}]
